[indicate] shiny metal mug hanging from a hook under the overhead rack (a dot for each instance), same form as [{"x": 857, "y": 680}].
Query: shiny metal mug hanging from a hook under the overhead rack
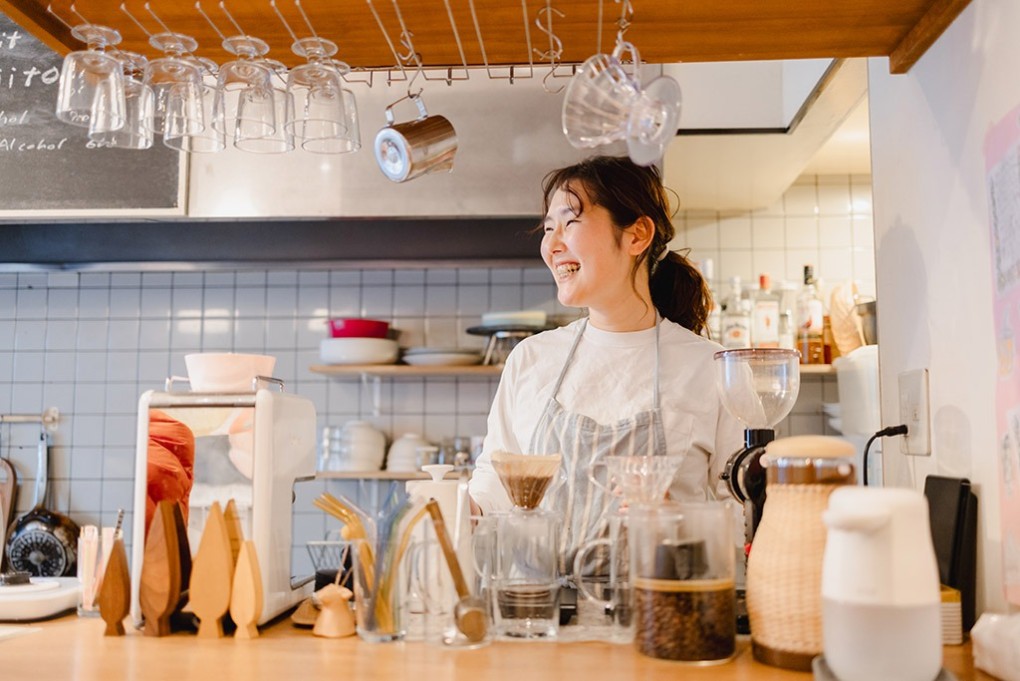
[{"x": 407, "y": 150}]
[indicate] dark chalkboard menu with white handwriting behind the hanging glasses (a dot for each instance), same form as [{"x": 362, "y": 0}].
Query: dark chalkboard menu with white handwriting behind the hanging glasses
[{"x": 49, "y": 166}]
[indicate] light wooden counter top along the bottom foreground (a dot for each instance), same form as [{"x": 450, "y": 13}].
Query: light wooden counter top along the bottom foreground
[{"x": 75, "y": 649}]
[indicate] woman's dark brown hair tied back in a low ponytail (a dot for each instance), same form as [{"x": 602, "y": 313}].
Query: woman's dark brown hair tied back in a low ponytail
[{"x": 628, "y": 192}]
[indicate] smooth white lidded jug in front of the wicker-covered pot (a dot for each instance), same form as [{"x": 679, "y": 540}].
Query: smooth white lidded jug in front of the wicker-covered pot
[{"x": 881, "y": 600}]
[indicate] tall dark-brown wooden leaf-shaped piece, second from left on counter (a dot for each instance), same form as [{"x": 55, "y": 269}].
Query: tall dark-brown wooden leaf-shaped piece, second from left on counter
[{"x": 161, "y": 588}]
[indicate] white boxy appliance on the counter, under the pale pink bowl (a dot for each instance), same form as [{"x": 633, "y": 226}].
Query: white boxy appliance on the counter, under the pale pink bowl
[{"x": 253, "y": 448}]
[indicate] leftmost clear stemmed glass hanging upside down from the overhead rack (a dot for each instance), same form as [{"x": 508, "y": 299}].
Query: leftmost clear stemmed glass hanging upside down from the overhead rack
[{"x": 92, "y": 86}]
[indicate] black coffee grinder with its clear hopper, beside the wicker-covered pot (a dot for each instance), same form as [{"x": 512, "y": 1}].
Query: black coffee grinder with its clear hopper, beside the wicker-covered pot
[{"x": 759, "y": 387}]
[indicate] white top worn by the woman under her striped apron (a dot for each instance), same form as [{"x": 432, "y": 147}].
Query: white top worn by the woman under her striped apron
[{"x": 611, "y": 378}]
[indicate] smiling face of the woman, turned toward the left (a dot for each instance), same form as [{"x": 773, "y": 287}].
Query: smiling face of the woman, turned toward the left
[{"x": 587, "y": 254}]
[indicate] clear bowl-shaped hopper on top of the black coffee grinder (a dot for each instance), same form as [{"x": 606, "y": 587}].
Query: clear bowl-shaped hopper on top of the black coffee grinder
[{"x": 759, "y": 387}]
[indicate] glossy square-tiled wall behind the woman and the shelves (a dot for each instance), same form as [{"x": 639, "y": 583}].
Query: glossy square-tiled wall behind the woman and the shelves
[{"x": 91, "y": 342}]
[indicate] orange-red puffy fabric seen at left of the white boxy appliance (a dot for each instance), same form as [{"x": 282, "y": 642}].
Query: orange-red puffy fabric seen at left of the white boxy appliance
[{"x": 171, "y": 470}]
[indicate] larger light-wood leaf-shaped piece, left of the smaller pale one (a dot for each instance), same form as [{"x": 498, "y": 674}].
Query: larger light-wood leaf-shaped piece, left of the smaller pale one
[{"x": 213, "y": 574}]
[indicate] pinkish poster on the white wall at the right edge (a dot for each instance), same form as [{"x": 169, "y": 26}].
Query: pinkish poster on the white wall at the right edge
[{"x": 1002, "y": 164}]
